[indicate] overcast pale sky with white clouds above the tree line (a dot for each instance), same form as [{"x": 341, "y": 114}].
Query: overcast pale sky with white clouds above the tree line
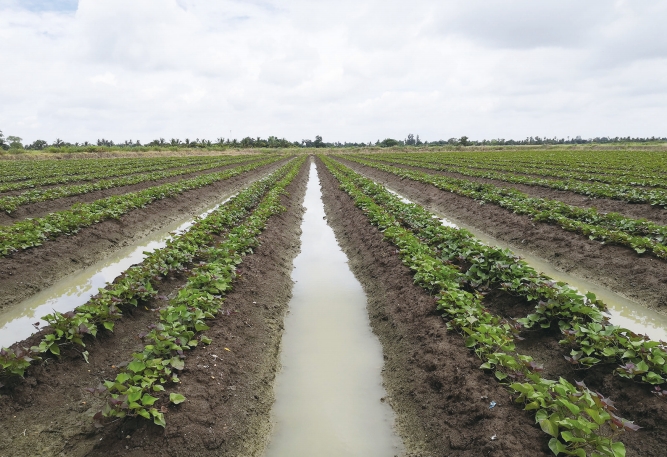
[{"x": 348, "y": 70}]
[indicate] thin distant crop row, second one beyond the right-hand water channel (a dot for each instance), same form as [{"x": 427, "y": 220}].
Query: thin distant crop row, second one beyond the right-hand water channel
[{"x": 628, "y": 193}]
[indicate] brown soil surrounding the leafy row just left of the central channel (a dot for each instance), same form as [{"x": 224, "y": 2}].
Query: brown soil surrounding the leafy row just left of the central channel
[{"x": 228, "y": 384}]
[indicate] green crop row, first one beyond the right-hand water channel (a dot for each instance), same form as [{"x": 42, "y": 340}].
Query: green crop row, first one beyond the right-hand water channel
[{"x": 639, "y": 234}]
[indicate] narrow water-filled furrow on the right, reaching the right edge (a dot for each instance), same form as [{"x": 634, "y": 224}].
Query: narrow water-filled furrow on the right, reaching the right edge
[{"x": 623, "y": 311}]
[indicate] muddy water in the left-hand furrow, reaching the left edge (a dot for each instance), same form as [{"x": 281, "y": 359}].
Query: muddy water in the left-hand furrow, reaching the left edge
[{"x": 76, "y": 289}]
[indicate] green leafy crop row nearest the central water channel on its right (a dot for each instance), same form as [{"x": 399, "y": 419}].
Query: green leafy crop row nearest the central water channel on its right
[{"x": 574, "y": 416}]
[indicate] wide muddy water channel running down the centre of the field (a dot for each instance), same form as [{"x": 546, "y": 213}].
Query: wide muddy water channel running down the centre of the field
[{"x": 329, "y": 390}]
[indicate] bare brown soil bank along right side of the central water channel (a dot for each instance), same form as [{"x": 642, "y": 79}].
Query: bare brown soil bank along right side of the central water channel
[{"x": 433, "y": 381}]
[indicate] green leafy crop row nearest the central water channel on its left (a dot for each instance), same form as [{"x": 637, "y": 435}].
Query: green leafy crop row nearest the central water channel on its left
[{"x": 183, "y": 318}]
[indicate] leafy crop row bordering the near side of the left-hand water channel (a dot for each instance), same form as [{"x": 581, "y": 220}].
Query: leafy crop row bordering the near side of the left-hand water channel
[{"x": 138, "y": 282}]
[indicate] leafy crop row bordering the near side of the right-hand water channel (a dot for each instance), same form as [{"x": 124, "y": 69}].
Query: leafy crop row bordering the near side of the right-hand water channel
[{"x": 579, "y": 317}]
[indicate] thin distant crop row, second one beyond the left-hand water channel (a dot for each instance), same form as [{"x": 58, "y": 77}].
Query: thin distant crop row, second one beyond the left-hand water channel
[{"x": 11, "y": 203}]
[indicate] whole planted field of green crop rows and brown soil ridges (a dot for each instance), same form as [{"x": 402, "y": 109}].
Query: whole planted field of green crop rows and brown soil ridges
[{"x": 484, "y": 353}]
